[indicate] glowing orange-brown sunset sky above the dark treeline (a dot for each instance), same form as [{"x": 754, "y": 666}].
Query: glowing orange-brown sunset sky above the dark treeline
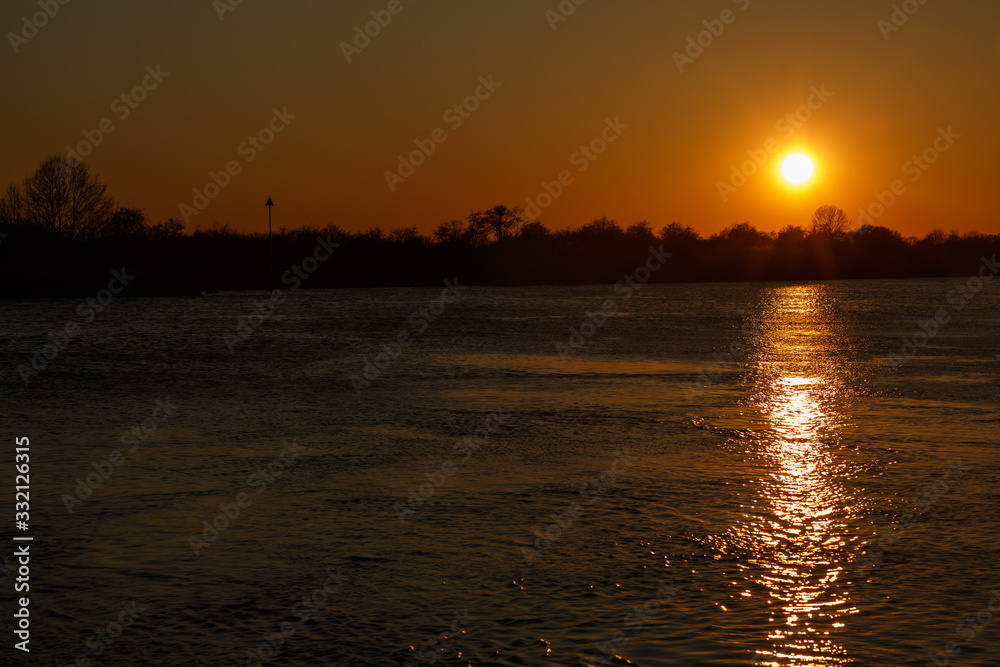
[{"x": 608, "y": 60}]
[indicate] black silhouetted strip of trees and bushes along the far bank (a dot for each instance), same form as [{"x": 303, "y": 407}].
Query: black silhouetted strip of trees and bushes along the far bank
[{"x": 64, "y": 234}]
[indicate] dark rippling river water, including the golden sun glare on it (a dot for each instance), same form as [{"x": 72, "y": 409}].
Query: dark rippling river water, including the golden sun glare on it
[{"x": 728, "y": 527}]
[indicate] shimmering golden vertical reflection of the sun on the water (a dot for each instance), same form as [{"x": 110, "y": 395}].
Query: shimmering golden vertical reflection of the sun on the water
[{"x": 797, "y": 542}]
